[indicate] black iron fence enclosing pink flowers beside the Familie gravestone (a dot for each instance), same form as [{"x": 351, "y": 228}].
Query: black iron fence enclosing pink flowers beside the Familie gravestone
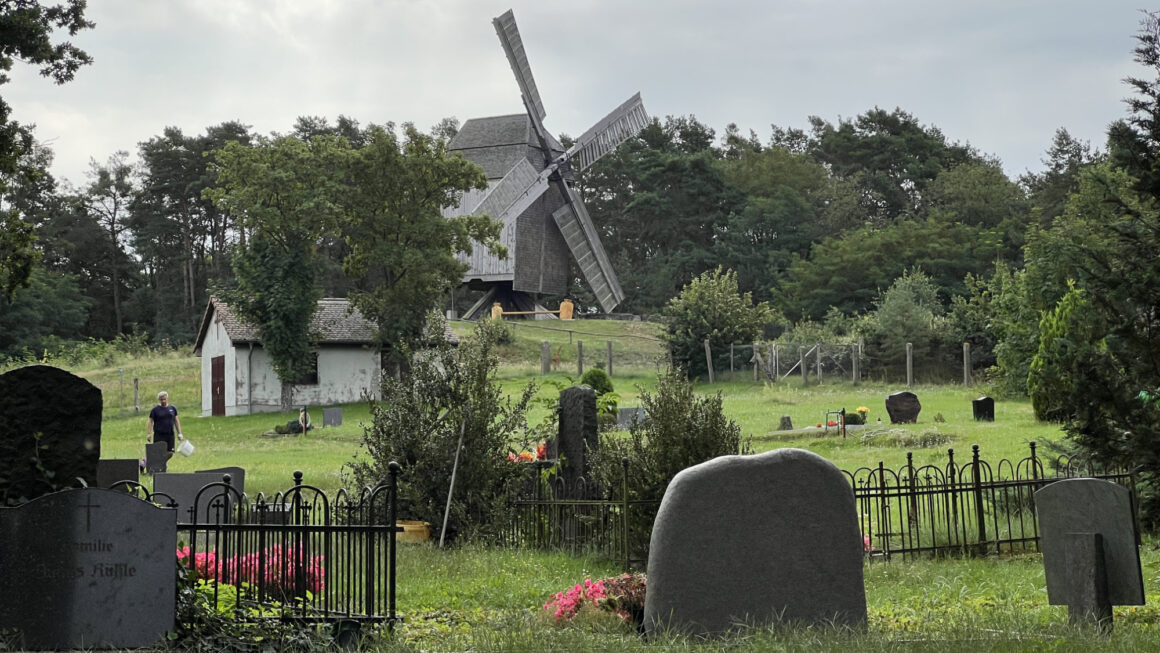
[{"x": 298, "y": 555}]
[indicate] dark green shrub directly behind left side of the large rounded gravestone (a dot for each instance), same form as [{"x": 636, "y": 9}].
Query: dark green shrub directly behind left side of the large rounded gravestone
[{"x": 683, "y": 431}]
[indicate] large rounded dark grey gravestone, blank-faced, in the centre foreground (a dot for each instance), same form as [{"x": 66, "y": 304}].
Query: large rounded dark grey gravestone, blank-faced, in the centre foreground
[{"x": 756, "y": 540}]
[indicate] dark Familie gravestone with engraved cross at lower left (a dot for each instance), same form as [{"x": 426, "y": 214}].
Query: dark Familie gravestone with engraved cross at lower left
[{"x": 97, "y": 571}]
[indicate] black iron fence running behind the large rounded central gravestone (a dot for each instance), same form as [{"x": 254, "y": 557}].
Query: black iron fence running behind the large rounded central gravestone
[{"x": 955, "y": 510}]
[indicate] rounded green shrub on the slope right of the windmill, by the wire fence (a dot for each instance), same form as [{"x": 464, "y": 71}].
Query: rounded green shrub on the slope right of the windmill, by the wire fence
[{"x": 712, "y": 308}]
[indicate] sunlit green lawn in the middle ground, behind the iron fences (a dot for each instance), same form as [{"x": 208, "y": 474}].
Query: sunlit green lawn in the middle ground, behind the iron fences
[{"x": 757, "y": 408}]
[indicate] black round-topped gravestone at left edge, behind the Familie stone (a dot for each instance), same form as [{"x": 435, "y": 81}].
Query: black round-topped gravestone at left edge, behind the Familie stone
[{"x": 50, "y": 422}]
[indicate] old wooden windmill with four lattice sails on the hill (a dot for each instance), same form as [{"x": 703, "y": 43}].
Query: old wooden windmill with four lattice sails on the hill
[{"x": 531, "y": 192}]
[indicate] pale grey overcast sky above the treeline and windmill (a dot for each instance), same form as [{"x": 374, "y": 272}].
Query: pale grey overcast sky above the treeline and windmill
[{"x": 1003, "y": 76}]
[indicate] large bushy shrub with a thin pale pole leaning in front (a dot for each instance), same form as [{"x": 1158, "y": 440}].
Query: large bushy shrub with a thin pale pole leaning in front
[{"x": 419, "y": 420}]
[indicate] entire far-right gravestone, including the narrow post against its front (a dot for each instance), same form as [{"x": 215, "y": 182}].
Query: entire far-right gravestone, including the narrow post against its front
[{"x": 1091, "y": 560}]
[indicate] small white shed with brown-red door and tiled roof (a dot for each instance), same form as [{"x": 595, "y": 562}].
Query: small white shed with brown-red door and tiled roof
[{"x": 238, "y": 378}]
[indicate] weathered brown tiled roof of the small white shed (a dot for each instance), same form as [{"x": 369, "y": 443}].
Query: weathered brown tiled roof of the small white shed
[{"x": 335, "y": 322}]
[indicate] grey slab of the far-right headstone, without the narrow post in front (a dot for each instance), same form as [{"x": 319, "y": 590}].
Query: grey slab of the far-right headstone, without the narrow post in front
[{"x": 1090, "y": 506}]
